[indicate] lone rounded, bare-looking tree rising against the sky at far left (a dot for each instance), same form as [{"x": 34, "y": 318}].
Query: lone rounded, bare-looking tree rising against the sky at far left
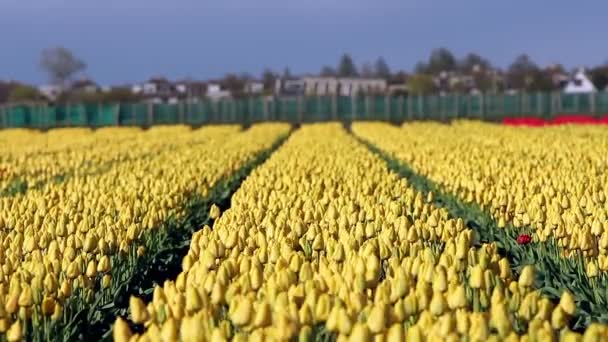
[{"x": 61, "y": 65}]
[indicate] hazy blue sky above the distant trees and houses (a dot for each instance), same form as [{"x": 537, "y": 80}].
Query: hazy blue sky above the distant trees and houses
[{"x": 130, "y": 40}]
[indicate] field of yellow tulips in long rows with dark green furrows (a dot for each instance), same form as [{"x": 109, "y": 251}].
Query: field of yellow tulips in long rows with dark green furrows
[{"x": 369, "y": 231}]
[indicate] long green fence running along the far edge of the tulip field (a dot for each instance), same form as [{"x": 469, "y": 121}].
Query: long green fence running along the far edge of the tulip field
[{"x": 305, "y": 109}]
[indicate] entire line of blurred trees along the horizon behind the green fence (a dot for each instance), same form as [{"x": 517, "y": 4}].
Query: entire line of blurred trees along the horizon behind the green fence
[{"x": 442, "y": 71}]
